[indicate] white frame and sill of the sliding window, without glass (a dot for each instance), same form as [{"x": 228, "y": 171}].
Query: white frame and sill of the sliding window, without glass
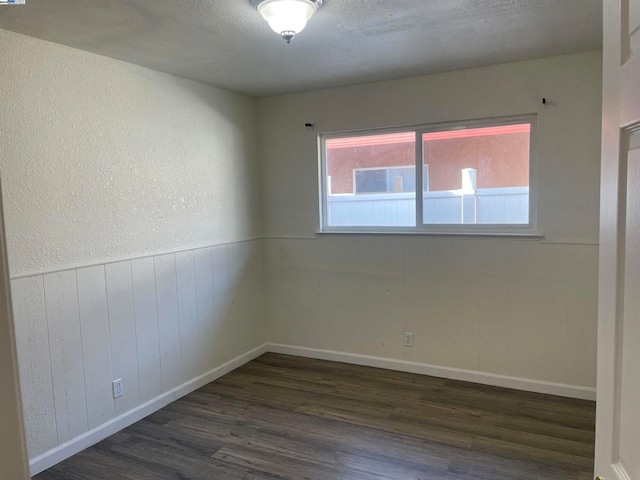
[{"x": 523, "y": 230}]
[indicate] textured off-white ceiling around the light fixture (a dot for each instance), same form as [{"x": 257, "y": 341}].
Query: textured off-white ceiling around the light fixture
[{"x": 227, "y": 44}]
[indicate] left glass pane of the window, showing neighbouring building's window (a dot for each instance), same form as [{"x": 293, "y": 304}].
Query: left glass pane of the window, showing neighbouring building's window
[{"x": 371, "y": 180}]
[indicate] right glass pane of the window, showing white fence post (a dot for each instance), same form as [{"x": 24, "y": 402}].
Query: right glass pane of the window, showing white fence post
[{"x": 477, "y": 176}]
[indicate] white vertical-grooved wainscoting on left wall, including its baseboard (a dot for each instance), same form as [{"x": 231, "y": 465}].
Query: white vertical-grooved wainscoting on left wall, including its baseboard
[{"x": 164, "y": 324}]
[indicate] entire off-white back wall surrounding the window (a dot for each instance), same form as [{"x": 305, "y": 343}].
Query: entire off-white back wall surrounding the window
[{"x": 521, "y": 308}]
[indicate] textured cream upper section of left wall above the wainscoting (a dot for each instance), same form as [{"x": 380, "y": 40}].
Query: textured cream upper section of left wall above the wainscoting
[{"x": 102, "y": 160}]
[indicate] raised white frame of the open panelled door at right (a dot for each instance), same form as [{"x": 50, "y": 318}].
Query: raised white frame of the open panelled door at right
[{"x": 620, "y": 119}]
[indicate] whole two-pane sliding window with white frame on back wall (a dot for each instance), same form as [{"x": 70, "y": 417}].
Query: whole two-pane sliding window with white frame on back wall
[{"x": 475, "y": 177}]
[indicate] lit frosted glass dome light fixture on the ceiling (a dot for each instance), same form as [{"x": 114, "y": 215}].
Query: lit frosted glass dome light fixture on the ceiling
[{"x": 287, "y": 17}]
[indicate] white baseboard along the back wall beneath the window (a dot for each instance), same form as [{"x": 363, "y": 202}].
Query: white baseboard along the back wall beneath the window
[{"x": 550, "y": 388}]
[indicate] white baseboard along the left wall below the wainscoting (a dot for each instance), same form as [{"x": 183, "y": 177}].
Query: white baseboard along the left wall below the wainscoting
[{"x": 76, "y": 445}]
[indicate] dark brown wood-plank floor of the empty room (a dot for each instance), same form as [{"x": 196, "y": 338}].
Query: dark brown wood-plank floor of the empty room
[{"x": 282, "y": 417}]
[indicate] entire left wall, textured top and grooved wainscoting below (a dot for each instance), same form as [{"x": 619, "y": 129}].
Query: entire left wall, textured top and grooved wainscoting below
[{"x": 132, "y": 203}]
